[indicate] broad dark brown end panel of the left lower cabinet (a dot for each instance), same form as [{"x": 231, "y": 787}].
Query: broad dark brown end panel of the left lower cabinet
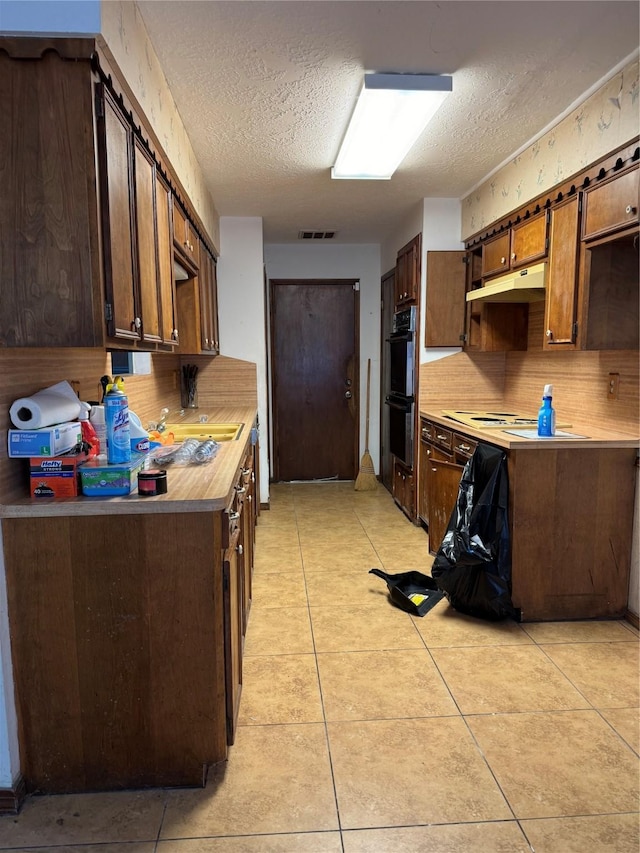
[{"x": 117, "y": 640}]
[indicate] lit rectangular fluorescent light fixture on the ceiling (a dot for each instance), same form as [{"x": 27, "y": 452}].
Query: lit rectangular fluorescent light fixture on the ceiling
[{"x": 391, "y": 113}]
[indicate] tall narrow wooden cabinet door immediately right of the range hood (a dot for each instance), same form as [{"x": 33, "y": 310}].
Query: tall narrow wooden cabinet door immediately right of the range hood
[{"x": 561, "y": 306}]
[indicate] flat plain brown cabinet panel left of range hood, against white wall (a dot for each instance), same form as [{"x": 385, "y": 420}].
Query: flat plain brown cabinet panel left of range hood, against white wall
[{"x": 445, "y": 299}]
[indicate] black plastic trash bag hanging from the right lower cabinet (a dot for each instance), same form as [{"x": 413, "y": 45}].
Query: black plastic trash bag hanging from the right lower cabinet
[{"x": 473, "y": 563}]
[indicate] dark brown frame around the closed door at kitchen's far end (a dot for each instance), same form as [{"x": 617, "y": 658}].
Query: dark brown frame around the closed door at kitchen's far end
[{"x": 354, "y": 283}]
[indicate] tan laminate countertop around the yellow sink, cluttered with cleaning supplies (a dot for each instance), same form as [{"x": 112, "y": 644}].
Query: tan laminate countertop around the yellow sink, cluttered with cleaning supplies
[{"x": 191, "y": 488}]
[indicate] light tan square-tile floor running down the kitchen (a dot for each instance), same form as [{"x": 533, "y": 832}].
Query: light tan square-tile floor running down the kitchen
[{"x": 365, "y": 730}]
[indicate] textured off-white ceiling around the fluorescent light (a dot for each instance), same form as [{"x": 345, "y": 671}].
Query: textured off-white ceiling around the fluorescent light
[{"x": 265, "y": 90}]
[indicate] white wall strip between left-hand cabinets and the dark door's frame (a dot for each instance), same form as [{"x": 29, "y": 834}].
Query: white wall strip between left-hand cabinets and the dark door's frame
[{"x": 241, "y": 310}]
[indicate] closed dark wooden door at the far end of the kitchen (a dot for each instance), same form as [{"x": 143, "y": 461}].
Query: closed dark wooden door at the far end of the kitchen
[{"x": 314, "y": 344}]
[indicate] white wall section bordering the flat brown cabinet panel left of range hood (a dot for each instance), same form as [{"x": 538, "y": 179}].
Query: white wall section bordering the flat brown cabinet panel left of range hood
[{"x": 440, "y": 233}]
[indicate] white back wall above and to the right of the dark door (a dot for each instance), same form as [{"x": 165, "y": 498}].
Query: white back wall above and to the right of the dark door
[{"x": 360, "y": 262}]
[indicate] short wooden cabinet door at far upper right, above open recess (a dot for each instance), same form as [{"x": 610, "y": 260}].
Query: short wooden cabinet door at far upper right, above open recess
[{"x": 611, "y": 205}]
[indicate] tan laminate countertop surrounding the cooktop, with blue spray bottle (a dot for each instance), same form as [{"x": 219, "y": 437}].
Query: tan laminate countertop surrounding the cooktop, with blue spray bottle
[{"x": 595, "y": 438}]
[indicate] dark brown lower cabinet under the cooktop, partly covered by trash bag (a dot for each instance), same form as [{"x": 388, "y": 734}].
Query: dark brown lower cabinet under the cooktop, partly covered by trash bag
[{"x": 570, "y": 521}]
